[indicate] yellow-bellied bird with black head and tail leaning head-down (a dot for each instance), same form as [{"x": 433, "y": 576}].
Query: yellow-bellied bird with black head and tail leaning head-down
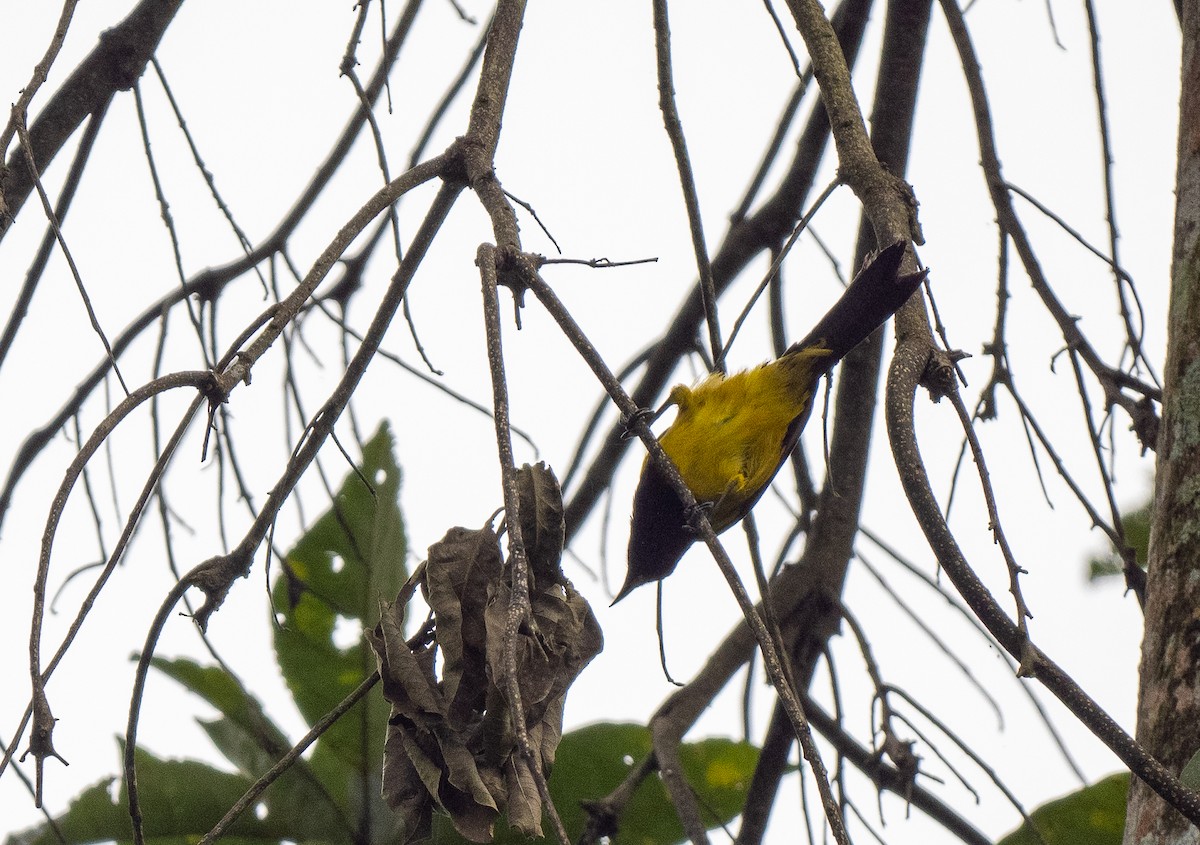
[{"x": 733, "y": 434}]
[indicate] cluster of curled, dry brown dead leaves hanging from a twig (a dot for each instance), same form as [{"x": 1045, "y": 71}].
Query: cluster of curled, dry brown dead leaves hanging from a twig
[{"x": 451, "y": 739}]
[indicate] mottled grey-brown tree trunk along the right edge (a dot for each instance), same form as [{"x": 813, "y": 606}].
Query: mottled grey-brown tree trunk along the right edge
[{"x": 1169, "y": 696}]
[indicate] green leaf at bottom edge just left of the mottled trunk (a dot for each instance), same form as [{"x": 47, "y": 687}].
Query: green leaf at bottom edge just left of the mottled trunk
[{"x": 1095, "y": 816}]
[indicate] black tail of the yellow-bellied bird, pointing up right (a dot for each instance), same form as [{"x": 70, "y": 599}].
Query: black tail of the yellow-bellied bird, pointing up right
[{"x": 874, "y": 296}]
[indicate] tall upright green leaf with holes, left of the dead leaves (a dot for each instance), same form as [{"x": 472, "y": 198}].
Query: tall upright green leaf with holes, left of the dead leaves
[{"x": 337, "y": 576}]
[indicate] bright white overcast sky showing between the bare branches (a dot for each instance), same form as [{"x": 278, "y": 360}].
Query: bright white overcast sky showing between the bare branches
[{"x": 584, "y": 143}]
